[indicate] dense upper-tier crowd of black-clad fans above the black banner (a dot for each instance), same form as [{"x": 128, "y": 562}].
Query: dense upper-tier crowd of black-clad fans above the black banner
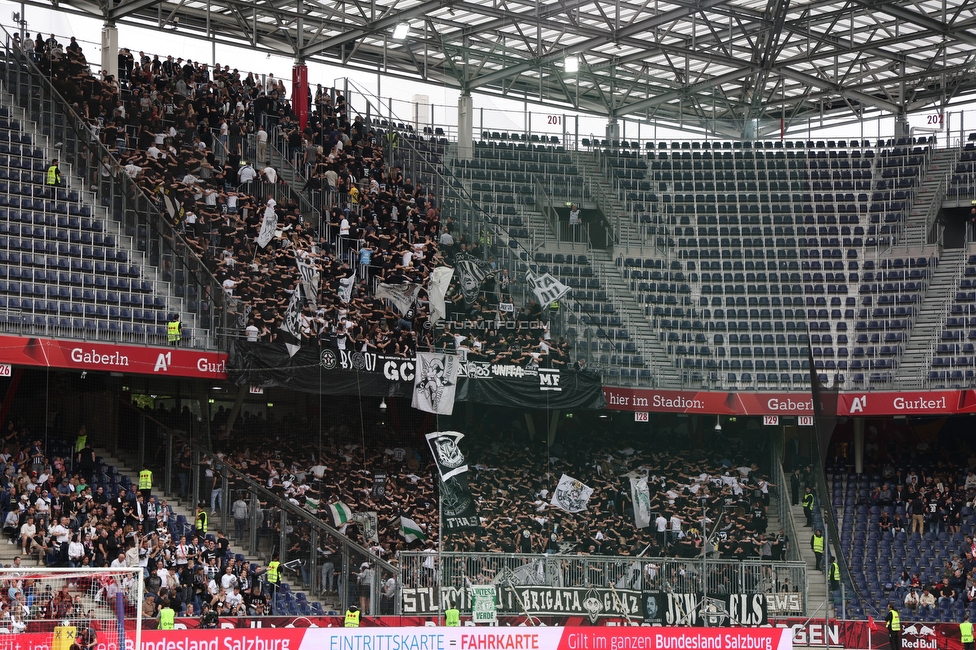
[{"x": 195, "y": 138}]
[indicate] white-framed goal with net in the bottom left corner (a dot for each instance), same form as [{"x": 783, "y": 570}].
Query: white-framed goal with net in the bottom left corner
[{"x": 50, "y": 609}]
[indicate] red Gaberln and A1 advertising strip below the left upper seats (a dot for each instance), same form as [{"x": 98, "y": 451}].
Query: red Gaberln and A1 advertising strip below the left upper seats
[{"x": 110, "y": 357}]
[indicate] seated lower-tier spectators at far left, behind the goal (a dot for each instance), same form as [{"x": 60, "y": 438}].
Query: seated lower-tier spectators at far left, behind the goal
[{"x": 60, "y": 514}]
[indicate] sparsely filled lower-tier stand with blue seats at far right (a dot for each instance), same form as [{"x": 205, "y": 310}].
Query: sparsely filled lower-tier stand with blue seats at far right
[{"x": 907, "y": 530}]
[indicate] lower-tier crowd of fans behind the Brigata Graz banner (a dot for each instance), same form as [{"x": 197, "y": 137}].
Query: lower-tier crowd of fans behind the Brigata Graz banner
[{"x": 512, "y": 486}]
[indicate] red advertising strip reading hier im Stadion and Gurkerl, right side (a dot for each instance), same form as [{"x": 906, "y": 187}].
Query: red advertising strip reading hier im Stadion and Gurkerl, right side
[{"x": 888, "y": 403}]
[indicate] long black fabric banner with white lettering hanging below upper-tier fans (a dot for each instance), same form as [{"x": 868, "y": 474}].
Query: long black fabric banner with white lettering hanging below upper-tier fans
[{"x": 330, "y": 371}]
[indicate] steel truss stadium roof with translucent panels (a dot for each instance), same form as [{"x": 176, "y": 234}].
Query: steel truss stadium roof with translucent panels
[{"x": 731, "y": 67}]
